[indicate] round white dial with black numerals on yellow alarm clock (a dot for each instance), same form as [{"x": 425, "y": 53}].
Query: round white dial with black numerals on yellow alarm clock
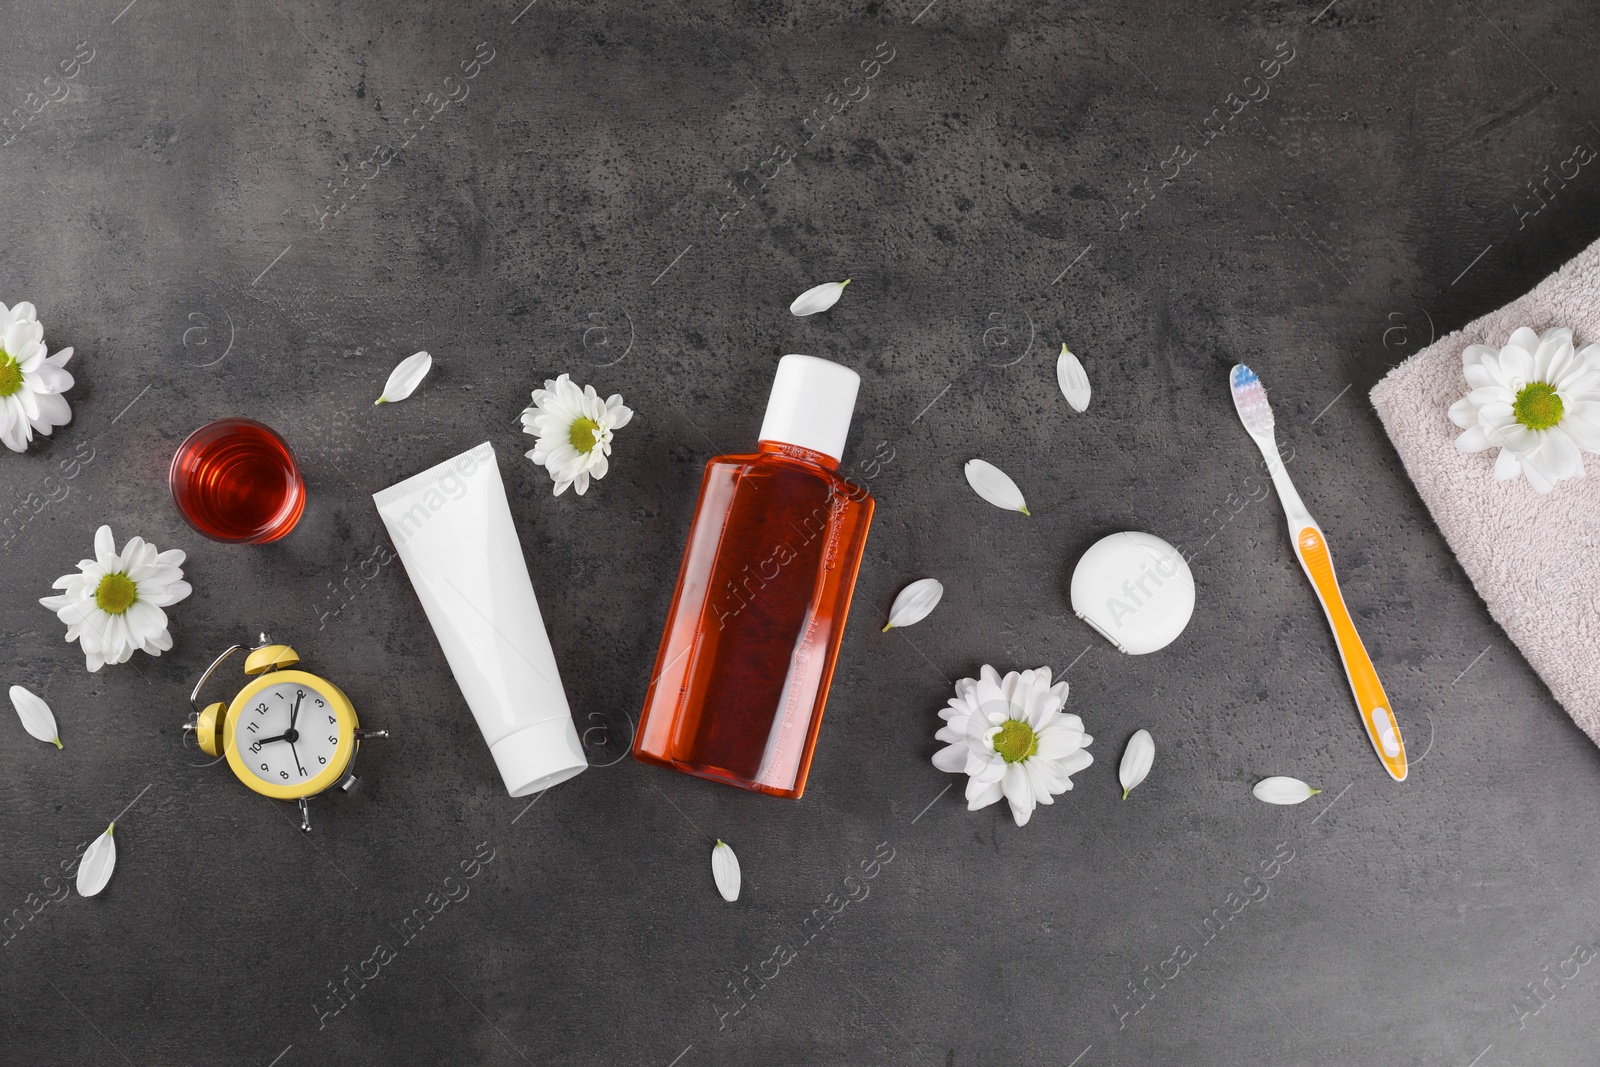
[{"x": 287, "y": 735}]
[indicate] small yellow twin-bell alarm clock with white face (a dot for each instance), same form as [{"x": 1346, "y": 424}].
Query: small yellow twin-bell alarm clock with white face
[{"x": 289, "y": 735}]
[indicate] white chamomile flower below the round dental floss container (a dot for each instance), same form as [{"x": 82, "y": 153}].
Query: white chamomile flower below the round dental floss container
[{"x": 1012, "y": 740}]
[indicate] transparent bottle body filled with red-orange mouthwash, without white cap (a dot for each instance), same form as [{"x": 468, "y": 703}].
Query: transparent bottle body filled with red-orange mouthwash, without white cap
[{"x": 758, "y": 618}]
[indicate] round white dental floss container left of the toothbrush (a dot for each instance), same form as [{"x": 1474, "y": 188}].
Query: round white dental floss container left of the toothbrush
[{"x": 1135, "y": 589}]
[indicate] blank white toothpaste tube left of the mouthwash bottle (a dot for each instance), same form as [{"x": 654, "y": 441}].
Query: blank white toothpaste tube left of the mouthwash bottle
[{"x": 452, "y": 529}]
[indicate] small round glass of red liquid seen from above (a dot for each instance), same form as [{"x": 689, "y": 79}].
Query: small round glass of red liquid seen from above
[{"x": 236, "y": 481}]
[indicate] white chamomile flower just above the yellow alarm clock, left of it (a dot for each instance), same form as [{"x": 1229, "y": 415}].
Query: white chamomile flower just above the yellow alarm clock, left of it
[{"x": 114, "y": 604}]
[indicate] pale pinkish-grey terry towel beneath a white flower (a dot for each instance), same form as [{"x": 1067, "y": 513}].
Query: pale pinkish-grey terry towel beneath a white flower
[{"x": 1534, "y": 557}]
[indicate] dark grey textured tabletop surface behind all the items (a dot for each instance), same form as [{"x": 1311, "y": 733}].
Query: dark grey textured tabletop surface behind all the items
[{"x": 207, "y": 218}]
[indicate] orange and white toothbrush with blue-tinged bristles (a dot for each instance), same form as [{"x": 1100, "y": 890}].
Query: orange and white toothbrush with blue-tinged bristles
[{"x": 1250, "y": 399}]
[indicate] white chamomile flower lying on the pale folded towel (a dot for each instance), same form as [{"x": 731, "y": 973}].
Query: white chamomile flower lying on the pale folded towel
[{"x": 1538, "y": 401}]
